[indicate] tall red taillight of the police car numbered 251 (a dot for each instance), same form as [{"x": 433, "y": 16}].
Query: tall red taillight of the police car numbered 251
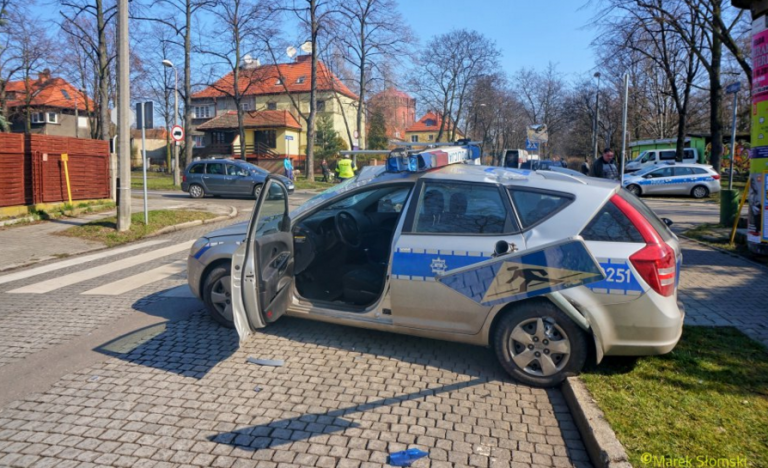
[{"x": 656, "y": 262}]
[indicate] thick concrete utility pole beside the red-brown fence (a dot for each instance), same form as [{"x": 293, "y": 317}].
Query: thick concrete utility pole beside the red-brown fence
[{"x": 123, "y": 122}]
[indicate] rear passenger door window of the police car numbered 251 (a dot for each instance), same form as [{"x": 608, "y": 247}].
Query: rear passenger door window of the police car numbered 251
[{"x": 451, "y": 208}]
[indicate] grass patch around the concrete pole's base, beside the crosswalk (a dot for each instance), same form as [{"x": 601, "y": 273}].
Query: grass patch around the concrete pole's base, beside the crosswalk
[{"x": 104, "y": 231}]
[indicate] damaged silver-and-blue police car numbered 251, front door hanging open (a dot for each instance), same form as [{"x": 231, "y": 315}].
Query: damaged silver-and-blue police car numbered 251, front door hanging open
[{"x": 541, "y": 266}]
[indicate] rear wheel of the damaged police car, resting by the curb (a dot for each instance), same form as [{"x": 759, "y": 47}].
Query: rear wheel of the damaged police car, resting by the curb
[{"x": 539, "y": 345}]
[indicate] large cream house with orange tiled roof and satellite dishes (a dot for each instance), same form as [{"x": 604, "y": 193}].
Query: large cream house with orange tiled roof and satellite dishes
[{"x": 274, "y": 127}]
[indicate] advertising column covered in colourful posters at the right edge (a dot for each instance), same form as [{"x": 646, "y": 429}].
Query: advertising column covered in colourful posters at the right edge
[{"x": 757, "y": 229}]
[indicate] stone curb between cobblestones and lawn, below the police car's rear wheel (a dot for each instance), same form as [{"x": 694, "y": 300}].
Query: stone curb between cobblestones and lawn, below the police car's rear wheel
[{"x": 603, "y": 447}]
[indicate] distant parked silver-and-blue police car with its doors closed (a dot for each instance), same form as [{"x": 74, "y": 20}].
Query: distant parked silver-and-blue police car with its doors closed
[{"x": 696, "y": 180}]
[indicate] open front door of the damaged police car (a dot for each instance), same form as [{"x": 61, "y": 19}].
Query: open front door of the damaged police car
[{"x": 262, "y": 266}]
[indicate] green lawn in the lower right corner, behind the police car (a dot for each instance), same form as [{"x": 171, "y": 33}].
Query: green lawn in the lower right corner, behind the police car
[{"x": 707, "y": 398}]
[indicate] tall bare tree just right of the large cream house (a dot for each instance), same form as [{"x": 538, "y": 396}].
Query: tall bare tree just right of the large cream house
[{"x": 371, "y": 33}]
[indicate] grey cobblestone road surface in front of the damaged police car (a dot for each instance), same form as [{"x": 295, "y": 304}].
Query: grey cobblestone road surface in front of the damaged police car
[{"x": 187, "y": 397}]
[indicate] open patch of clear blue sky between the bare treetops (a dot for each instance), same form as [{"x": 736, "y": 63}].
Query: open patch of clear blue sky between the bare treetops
[{"x": 530, "y": 33}]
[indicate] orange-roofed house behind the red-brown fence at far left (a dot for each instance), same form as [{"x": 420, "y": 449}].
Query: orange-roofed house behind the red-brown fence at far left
[{"x": 52, "y": 103}]
